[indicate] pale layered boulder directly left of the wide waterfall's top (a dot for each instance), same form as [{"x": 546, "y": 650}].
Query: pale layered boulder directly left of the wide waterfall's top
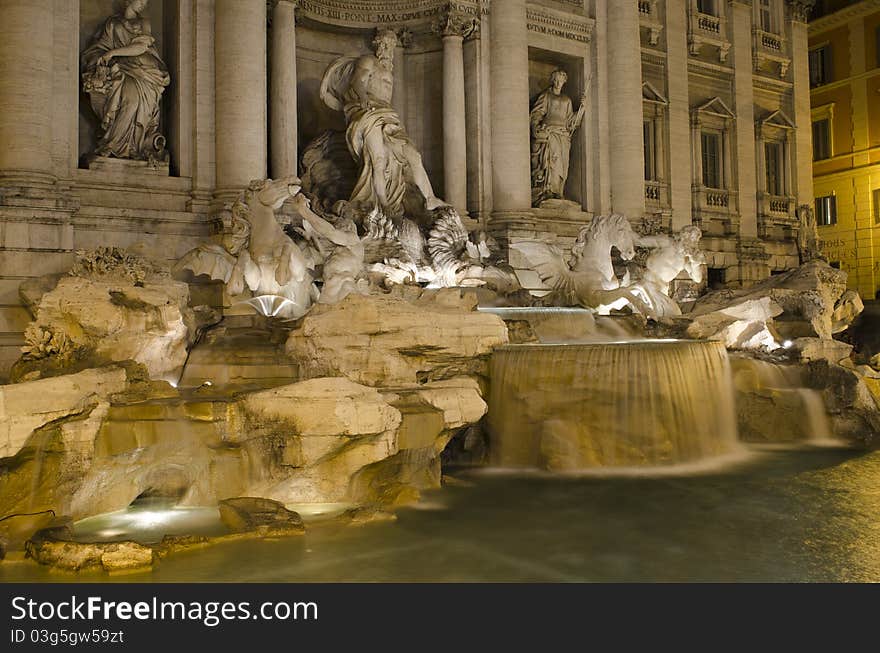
[{"x": 386, "y": 341}]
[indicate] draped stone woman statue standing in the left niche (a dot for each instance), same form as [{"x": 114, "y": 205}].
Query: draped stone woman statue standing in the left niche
[{"x": 125, "y": 78}]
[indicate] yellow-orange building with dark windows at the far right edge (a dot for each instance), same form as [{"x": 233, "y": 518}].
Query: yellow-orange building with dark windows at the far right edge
[{"x": 844, "y": 56}]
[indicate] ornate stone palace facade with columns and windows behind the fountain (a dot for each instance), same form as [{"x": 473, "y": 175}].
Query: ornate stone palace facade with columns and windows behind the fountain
[{"x": 696, "y": 111}]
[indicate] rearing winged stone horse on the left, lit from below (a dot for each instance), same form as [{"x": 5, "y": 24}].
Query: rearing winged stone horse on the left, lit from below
[{"x": 258, "y": 254}]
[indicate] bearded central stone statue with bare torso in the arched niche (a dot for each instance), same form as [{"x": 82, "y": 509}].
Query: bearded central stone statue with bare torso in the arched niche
[{"x": 362, "y": 88}]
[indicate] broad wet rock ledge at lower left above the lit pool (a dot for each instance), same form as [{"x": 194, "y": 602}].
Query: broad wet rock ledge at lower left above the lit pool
[{"x": 305, "y": 442}]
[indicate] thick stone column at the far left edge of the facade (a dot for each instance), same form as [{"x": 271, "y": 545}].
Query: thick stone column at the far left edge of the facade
[{"x": 26, "y": 56}]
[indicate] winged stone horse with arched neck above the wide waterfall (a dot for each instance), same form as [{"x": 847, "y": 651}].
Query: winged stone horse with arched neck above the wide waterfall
[{"x": 588, "y": 279}]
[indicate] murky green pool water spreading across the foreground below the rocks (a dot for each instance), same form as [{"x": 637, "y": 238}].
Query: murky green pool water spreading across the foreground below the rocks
[{"x": 780, "y": 515}]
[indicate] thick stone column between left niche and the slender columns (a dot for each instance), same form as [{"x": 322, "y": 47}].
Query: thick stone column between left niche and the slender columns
[{"x": 240, "y": 112}]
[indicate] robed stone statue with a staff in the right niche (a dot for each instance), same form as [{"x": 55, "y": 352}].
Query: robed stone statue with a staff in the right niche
[{"x": 553, "y": 122}]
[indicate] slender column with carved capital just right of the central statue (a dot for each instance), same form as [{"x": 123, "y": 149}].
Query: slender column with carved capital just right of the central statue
[{"x": 453, "y": 28}]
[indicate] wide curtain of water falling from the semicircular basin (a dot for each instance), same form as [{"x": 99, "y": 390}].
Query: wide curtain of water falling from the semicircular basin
[{"x": 576, "y": 406}]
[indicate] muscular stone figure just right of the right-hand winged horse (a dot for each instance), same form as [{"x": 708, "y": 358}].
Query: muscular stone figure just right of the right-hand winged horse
[{"x": 670, "y": 257}]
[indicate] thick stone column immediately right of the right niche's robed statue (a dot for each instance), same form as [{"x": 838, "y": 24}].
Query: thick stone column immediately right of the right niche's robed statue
[{"x": 625, "y": 109}]
